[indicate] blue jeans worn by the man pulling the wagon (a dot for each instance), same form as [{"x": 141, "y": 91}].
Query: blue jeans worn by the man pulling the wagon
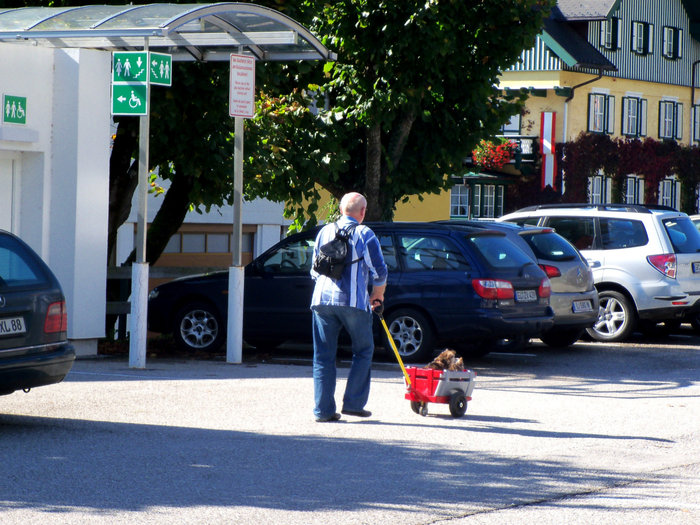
[{"x": 327, "y": 322}]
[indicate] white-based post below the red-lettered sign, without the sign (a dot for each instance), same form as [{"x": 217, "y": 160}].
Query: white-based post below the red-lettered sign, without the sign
[{"x": 234, "y": 338}]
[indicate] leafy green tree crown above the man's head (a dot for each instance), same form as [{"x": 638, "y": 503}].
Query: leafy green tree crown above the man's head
[{"x": 411, "y": 94}]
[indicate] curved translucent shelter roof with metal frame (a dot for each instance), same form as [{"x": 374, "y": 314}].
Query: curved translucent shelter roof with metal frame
[{"x": 206, "y": 32}]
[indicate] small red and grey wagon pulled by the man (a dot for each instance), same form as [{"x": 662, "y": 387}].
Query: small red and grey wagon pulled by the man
[{"x": 439, "y": 386}]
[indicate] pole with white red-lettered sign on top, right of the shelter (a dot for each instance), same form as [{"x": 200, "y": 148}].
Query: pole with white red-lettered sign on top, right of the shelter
[{"x": 241, "y": 105}]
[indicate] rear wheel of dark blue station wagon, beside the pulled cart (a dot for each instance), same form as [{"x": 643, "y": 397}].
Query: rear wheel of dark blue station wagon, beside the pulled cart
[{"x": 412, "y": 334}]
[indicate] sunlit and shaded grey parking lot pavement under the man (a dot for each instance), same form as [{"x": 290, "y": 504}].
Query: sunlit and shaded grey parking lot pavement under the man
[{"x": 595, "y": 434}]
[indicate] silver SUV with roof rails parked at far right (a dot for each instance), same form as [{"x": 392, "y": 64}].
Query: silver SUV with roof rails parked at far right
[{"x": 645, "y": 261}]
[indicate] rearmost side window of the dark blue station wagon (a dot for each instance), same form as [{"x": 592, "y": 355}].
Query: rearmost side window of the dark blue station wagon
[{"x": 431, "y": 253}]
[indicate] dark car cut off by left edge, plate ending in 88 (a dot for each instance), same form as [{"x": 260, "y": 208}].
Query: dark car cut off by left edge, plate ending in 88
[{"x": 33, "y": 324}]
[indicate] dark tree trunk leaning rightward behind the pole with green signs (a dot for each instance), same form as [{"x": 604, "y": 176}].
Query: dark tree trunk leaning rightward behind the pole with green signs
[{"x": 176, "y": 204}]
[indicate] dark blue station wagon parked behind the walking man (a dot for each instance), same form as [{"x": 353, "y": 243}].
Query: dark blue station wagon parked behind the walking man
[{"x": 463, "y": 287}]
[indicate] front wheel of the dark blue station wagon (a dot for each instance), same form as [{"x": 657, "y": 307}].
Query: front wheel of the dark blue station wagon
[{"x": 198, "y": 327}]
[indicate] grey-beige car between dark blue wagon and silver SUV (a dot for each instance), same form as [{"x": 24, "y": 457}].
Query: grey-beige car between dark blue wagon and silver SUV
[{"x": 574, "y": 297}]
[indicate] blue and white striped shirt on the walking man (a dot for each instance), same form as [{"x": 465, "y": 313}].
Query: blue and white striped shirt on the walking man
[{"x": 352, "y": 288}]
